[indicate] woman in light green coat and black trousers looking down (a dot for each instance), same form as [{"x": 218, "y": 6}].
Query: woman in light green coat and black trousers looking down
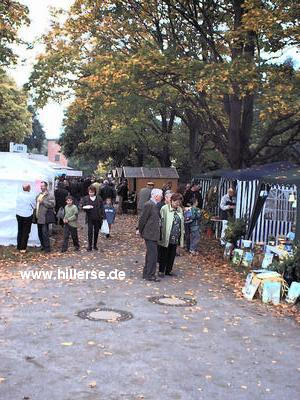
[{"x": 172, "y": 233}]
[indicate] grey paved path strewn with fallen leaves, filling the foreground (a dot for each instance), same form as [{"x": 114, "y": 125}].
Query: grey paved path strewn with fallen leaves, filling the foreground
[{"x": 222, "y": 348}]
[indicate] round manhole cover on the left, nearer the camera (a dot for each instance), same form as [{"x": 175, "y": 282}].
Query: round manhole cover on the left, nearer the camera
[{"x": 104, "y": 314}]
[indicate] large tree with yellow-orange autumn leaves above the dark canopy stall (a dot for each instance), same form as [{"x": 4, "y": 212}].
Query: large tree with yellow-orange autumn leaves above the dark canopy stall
[{"x": 214, "y": 58}]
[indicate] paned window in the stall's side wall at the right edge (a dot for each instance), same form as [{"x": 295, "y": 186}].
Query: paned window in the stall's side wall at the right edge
[{"x": 278, "y": 207}]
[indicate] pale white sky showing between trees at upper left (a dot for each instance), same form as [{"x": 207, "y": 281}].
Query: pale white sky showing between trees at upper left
[{"x": 50, "y": 116}]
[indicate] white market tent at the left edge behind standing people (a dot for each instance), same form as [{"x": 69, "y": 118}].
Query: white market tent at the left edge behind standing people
[{"x": 16, "y": 170}]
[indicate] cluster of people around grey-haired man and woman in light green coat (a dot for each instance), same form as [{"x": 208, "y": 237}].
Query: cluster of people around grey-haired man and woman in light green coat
[{"x": 168, "y": 220}]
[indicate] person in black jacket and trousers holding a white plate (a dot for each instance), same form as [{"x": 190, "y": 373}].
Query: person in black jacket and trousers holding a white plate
[{"x": 93, "y": 206}]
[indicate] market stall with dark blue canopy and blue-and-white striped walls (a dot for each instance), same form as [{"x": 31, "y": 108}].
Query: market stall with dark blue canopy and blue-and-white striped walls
[{"x": 261, "y": 196}]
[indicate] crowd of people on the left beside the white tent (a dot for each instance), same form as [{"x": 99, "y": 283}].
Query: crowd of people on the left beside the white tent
[{"x": 95, "y": 197}]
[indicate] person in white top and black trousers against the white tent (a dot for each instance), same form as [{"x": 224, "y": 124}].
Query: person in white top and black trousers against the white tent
[{"x": 25, "y": 205}]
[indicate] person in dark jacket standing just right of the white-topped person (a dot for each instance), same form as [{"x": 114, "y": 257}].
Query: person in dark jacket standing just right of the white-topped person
[{"x": 44, "y": 202}]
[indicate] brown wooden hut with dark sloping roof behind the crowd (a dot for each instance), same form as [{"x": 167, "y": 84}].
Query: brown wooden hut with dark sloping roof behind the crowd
[{"x": 138, "y": 177}]
